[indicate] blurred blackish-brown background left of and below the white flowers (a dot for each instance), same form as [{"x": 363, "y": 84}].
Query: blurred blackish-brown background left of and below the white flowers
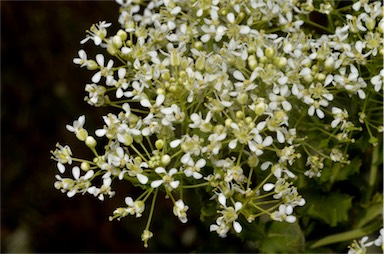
[{"x": 41, "y": 92}]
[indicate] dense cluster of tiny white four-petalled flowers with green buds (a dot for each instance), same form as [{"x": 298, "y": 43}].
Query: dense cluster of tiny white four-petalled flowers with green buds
[{"x": 226, "y": 96}]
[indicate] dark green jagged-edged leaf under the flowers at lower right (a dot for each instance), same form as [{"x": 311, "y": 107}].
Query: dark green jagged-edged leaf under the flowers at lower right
[{"x": 332, "y": 208}]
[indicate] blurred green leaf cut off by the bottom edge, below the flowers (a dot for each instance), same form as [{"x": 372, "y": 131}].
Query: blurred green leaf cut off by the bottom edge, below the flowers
[{"x": 283, "y": 237}]
